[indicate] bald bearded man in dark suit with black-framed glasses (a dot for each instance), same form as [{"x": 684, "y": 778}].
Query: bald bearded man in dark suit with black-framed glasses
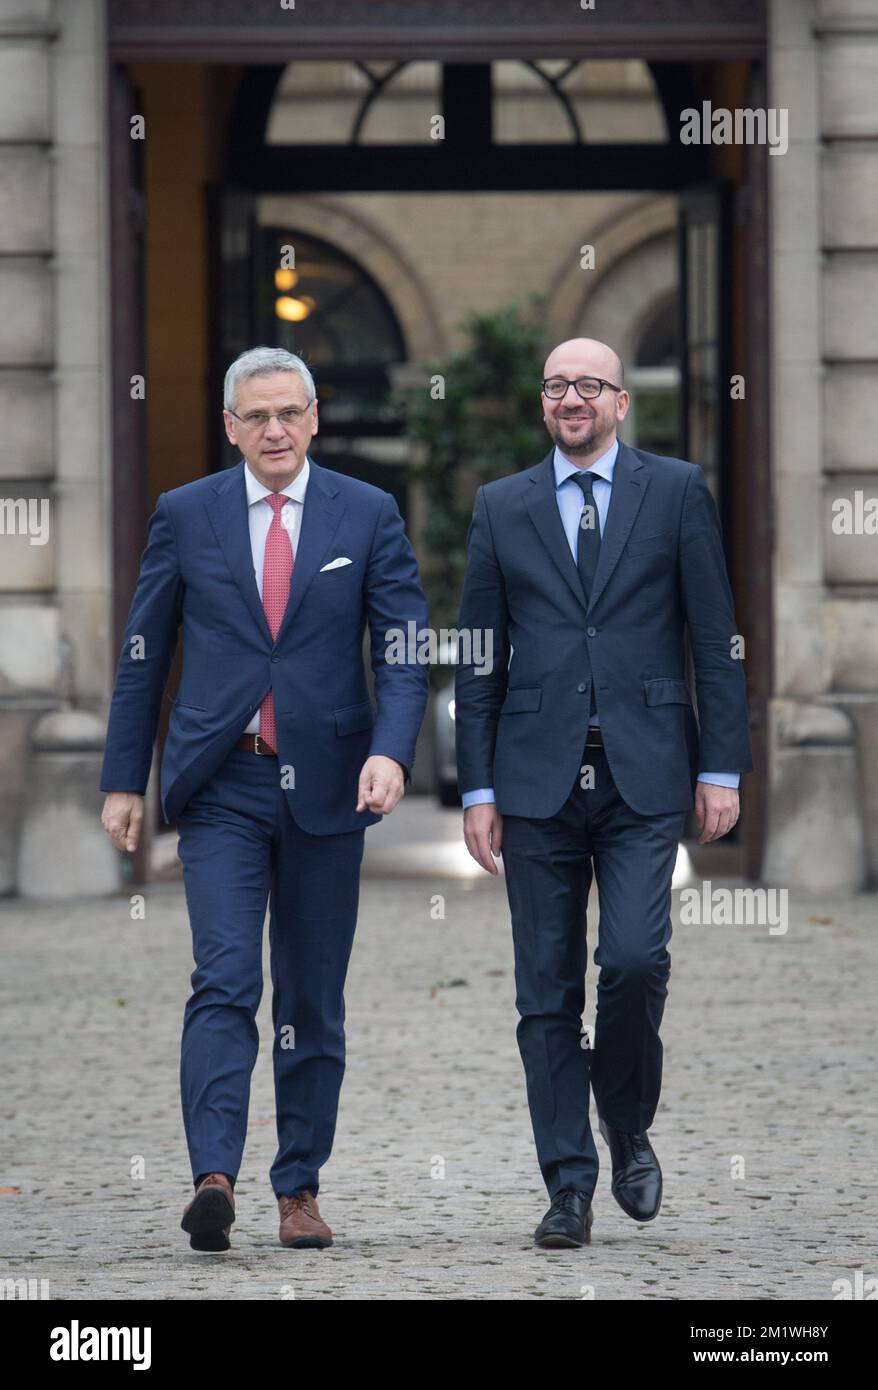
[{"x": 580, "y": 754}]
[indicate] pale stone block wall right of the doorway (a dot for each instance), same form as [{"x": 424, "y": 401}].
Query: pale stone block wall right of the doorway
[{"x": 823, "y": 794}]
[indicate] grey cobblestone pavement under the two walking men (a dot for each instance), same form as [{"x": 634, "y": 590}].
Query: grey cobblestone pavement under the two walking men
[{"x": 766, "y": 1129}]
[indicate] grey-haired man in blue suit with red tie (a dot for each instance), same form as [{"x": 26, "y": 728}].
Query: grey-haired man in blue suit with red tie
[{"x": 274, "y": 765}]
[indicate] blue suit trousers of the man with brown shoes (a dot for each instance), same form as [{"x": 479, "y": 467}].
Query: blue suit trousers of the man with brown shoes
[{"x": 242, "y": 851}]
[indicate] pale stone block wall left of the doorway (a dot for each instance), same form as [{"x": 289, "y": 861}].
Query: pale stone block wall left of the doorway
[{"x": 55, "y": 458}]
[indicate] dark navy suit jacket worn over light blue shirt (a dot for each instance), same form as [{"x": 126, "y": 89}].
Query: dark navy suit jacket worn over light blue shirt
[{"x": 662, "y": 575}]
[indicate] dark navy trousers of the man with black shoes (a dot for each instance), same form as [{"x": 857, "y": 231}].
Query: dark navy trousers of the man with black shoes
[{"x": 549, "y": 867}]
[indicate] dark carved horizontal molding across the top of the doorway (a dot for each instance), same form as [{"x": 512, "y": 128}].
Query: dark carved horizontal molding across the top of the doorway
[{"x": 260, "y": 31}]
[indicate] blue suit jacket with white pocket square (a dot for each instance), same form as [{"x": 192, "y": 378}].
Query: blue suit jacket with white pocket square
[{"x": 198, "y": 573}]
